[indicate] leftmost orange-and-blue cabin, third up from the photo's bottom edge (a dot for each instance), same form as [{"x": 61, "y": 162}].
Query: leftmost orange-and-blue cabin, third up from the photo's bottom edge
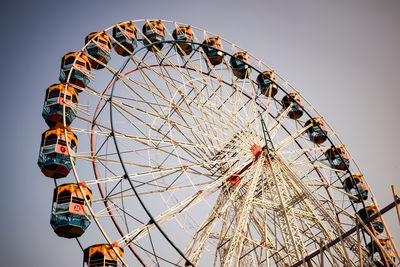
[{"x": 54, "y": 161}]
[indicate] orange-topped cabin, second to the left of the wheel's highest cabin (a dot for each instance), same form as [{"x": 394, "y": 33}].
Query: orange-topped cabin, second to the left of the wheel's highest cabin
[{"x": 99, "y": 48}]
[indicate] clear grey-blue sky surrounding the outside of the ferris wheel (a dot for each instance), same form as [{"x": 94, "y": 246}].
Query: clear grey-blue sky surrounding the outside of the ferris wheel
[{"x": 342, "y": 55}]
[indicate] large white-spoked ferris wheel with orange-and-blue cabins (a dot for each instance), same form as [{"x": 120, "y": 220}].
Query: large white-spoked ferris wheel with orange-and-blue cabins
[{"x": 186, "y": 150}]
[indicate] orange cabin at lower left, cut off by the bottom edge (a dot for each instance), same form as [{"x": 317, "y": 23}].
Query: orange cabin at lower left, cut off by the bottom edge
[{"x": 102, "y": 255}]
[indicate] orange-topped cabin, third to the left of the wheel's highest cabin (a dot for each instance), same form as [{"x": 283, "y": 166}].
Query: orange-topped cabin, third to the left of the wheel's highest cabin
[{"x": 79, "y": 64}]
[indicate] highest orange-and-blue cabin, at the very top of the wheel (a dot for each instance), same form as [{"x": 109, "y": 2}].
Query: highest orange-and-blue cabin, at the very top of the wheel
[{"x": 153, "y": 31}]
